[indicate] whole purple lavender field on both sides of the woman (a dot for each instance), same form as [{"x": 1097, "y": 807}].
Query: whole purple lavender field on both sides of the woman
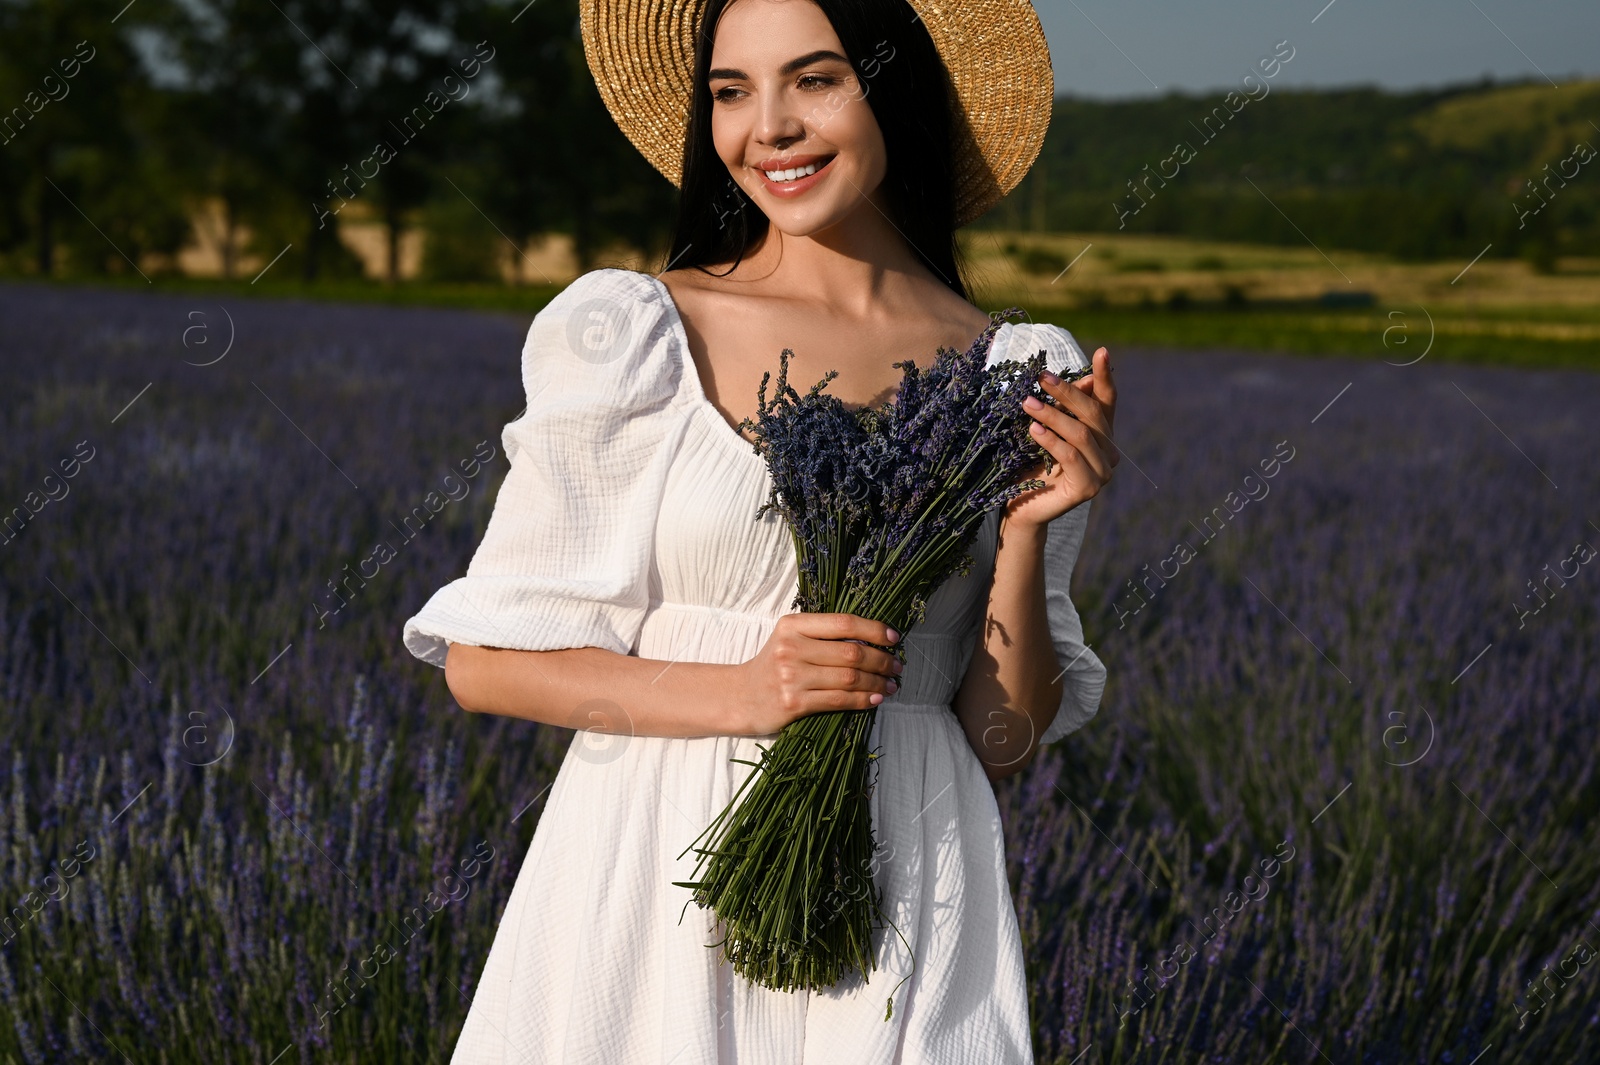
[{"x": 1338, "y": 805}]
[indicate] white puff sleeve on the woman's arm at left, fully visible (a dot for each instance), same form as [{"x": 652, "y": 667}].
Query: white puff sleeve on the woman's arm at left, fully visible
[{"x": 566, "y": 559}]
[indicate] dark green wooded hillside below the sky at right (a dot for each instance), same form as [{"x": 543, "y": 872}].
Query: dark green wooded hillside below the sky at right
[{"x": 1425, "y": 175}]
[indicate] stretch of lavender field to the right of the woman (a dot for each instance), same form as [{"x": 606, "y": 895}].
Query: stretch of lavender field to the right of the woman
[{"x": 1314, "y": 588}]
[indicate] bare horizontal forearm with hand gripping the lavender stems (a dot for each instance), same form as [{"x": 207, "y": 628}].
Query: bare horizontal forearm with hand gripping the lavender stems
[{"x": 809, "y": 664}]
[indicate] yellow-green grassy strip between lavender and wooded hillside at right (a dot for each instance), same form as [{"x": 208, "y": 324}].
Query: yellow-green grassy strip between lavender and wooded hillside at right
[{"x": 1182, "y": 293}]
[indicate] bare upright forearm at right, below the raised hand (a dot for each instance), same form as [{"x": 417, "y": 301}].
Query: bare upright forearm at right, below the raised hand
[{"x": 1014, "y": 684}]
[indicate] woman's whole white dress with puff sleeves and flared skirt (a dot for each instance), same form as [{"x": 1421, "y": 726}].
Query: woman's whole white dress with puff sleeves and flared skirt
[{"x": 626, "y": 522}]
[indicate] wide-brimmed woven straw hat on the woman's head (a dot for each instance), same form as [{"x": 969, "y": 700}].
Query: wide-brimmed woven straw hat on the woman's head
[{"x": 642, "y": 57}]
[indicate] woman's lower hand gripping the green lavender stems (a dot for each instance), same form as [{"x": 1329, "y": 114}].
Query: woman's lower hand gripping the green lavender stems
[{"x": 812, "y": 664}]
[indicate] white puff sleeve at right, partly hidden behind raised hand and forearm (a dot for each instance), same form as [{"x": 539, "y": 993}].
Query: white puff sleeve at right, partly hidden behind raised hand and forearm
[{"x": 1084, "y": 676}]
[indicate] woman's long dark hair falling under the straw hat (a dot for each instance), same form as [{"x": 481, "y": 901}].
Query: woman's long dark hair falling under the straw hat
[{"x": 910, "y": 92}]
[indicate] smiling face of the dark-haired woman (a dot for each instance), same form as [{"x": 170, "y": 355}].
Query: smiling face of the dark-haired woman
[{"x": 790, "y": 116}]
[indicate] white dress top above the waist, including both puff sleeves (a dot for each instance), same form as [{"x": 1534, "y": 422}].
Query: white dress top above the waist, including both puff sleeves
[{"x": 628, "y": 519}]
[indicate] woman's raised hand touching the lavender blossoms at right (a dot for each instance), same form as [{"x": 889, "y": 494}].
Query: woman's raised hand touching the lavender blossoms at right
[{"x": 1079, "y": 442}]
